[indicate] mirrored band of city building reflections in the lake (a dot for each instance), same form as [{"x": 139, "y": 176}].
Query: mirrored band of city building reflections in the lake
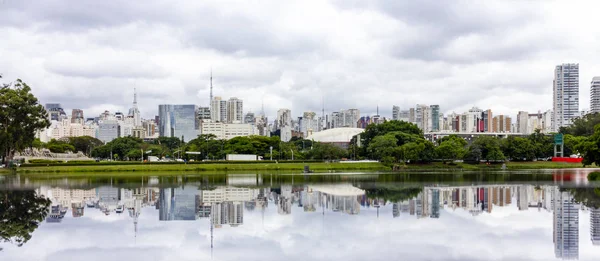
[{"x": 226, "y": 204}]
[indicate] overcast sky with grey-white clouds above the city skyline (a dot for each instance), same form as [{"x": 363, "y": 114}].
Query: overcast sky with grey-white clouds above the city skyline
[{"x": 294, "y": 54}]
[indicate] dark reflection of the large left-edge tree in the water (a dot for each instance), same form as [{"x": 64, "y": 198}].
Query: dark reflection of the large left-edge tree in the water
[{"x": 21, "y": 212}]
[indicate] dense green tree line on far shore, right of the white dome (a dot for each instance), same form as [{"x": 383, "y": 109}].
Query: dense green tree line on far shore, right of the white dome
[{"x": 403, "y": 142}]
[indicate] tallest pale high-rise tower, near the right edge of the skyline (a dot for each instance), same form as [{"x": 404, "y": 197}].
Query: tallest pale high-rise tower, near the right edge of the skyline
[{"x": 565, "y": 94}]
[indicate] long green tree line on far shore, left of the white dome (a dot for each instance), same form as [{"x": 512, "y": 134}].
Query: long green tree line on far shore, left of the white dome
[{"x": 211, "y": 148}]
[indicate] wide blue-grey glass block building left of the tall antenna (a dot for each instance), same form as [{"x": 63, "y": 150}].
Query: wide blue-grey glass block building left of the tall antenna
[{"x": 178, "y": 121}]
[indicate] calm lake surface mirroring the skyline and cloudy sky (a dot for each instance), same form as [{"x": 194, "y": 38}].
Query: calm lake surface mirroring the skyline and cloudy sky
[{"x": 426, "y": 216}]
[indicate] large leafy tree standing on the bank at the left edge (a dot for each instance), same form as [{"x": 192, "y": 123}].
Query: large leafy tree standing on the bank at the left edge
[{"x": 21, "y": 116}]
